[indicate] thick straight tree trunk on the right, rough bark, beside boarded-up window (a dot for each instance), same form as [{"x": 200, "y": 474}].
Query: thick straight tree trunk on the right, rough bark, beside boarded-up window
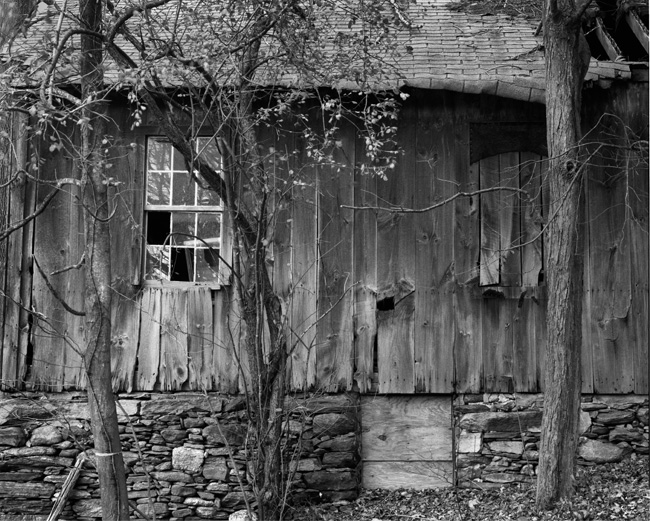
[{"x": 567, "y": 60}]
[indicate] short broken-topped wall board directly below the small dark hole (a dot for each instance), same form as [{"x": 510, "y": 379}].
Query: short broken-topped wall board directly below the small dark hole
[{"x": 395, "y": 355}]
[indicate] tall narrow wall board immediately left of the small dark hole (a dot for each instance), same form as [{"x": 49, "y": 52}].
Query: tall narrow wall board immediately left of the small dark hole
[{"x": 364, "y": 269}]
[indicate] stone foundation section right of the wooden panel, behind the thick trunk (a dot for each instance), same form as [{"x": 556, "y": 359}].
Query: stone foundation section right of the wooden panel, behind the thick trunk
[{"x": 497, "y": 435}]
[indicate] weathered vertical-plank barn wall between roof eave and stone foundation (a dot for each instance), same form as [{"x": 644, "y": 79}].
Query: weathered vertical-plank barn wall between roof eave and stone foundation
[{"x": 434, "y": 302}]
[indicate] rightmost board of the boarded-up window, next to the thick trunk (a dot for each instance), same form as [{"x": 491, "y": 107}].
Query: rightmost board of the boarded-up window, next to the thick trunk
[{"x": 531, "y": 219}]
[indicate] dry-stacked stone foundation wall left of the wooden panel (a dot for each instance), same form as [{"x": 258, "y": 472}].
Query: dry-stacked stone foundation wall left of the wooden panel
[{"x": 184, "y": 453}]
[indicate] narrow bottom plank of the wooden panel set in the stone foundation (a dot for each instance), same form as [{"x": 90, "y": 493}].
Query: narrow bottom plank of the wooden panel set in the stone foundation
[{"x": 418, "y": 475}]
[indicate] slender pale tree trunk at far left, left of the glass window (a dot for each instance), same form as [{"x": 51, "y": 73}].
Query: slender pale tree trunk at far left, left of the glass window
[{"x": 97, "y": 359}]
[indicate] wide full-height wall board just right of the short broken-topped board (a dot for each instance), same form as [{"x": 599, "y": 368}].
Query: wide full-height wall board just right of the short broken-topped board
[{"x": 434, "y": 265}]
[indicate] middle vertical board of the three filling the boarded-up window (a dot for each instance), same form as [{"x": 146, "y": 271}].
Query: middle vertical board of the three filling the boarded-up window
[{"x": 509, "y": 220}]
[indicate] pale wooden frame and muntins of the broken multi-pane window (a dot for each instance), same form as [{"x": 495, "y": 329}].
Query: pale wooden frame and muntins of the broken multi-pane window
[{"x": 222, "y": 272}]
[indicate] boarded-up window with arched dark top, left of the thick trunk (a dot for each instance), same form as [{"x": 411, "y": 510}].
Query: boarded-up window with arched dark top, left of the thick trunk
[{"x": 510, "y": 160}]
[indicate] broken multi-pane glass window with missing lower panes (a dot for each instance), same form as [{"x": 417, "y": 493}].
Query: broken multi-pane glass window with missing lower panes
[{"x": 183, "y": 221}]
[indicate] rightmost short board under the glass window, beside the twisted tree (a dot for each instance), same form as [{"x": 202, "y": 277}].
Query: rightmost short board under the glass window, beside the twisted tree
[{"x": 226, "y": 328}]
